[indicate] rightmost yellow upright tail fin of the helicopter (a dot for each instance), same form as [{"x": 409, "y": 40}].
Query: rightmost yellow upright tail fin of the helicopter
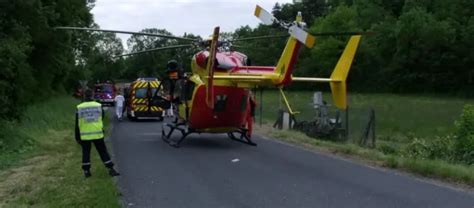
[{"x": 339, "y": 75}]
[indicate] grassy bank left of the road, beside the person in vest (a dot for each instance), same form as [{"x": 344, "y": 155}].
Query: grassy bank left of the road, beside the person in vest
[{"x": 46, "y": 172}]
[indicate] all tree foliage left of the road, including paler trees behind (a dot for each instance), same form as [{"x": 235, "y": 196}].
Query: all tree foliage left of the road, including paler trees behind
[{"x": 37, "y": 61}]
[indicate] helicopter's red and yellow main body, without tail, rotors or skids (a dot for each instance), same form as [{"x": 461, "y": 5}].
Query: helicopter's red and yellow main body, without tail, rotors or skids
[{"x": 232, "y": 105}]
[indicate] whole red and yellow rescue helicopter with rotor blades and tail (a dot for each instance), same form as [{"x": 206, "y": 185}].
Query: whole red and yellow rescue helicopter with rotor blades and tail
[{"x": 216, "y": 97}]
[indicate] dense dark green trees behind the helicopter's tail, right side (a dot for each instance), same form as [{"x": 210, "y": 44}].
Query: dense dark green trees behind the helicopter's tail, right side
[{"x": 416, "y": 46}]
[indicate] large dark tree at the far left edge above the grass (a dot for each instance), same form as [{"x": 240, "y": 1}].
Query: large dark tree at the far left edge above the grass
[{"x": 35, "y": 60}]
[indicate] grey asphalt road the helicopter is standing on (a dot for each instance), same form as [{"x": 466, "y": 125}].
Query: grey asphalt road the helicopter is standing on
[{"x": 214, "y": 171}]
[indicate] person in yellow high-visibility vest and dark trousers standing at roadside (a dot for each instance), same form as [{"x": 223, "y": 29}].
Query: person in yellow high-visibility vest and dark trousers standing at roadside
[{"x": 89, "y": 130}]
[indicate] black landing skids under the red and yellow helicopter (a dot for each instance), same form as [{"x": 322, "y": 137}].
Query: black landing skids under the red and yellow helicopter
[{"x": 185, "y": 131}]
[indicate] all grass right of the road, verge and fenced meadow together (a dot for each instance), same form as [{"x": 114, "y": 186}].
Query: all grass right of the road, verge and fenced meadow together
[{"x": 399, "y": 119}]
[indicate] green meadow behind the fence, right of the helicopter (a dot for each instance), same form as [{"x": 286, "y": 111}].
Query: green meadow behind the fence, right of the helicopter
[{"x": 397, "y": 116}]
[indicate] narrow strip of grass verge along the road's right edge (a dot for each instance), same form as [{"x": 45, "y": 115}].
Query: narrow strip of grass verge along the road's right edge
[{"x": 460, "y": 174}]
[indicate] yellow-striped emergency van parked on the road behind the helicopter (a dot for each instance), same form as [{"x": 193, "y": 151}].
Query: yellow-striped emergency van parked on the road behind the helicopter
[{"x": 139, "y": 97}]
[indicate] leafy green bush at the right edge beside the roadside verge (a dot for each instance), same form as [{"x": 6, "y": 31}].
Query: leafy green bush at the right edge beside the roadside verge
[{"x": 458, "y": 147}]
